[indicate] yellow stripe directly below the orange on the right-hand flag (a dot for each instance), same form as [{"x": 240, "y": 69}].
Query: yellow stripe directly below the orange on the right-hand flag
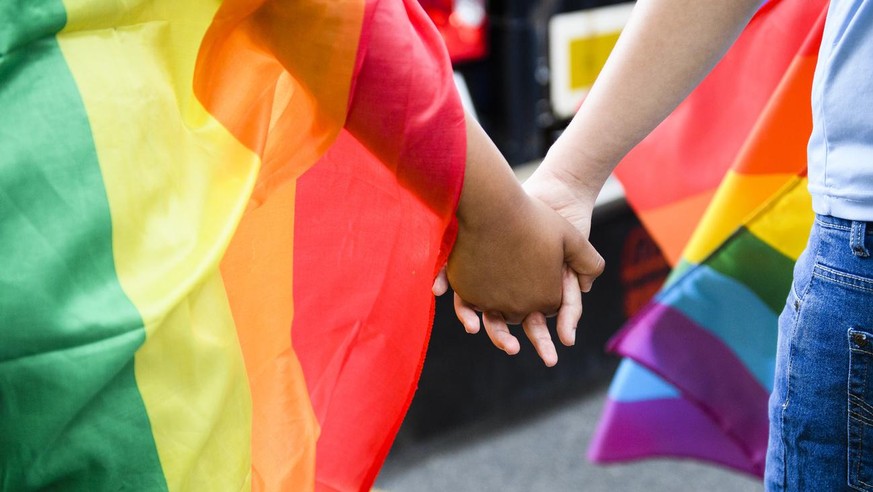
[{"x": 737, "y": 198}]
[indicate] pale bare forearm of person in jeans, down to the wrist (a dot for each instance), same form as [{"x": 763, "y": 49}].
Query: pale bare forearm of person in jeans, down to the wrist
[{"x": 665, "y": 50}]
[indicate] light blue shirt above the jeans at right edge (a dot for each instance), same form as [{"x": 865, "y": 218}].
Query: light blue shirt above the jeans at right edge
[{"x": 841, "y": 145}]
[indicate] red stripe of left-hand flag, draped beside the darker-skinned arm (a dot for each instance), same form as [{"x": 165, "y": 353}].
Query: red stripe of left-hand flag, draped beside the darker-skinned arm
[{"x": 371, "y": 231}]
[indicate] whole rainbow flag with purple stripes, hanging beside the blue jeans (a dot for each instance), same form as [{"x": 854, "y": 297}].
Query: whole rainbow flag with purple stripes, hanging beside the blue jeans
[{"x": 699, "y": 358}]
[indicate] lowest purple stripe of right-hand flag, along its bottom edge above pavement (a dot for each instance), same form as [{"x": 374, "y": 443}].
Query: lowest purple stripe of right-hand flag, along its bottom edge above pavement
[{"x": 669, "y": 427}]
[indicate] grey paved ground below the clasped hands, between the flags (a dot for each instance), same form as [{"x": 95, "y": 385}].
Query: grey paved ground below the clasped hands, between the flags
[{"x": 542, "y": 453}]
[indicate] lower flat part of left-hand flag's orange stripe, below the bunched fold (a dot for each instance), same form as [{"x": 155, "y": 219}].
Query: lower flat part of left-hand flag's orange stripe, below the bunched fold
[{"x": 258, "y": 272}]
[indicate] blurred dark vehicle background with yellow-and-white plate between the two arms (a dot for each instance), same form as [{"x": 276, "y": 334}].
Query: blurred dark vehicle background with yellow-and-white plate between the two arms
[{"x": 526, "y": 64}]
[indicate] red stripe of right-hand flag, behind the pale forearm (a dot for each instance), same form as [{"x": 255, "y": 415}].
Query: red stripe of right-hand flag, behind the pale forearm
[{"x": 697, "y": 144}]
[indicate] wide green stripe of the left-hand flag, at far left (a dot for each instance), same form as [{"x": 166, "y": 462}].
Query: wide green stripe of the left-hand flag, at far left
[{"x": 71, "y": 416}]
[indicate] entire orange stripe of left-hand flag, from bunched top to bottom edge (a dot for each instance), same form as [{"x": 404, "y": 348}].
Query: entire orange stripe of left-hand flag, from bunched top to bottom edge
[{"x": 300, "y": 56}]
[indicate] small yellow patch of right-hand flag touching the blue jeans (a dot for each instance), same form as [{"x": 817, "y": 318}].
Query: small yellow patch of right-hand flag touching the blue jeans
[{"x": 785, "y": 227}]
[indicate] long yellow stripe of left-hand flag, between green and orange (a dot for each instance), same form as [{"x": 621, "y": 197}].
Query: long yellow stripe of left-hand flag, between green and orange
[{"x": 177, "y": 183}]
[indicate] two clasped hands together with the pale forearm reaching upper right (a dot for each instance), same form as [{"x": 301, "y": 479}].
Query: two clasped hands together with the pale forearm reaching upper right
[{"x": 514, "y": 255}]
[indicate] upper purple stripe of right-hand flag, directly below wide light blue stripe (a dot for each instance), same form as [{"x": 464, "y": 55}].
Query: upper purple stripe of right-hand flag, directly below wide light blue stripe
[{"x": 708, "y": 374}]
